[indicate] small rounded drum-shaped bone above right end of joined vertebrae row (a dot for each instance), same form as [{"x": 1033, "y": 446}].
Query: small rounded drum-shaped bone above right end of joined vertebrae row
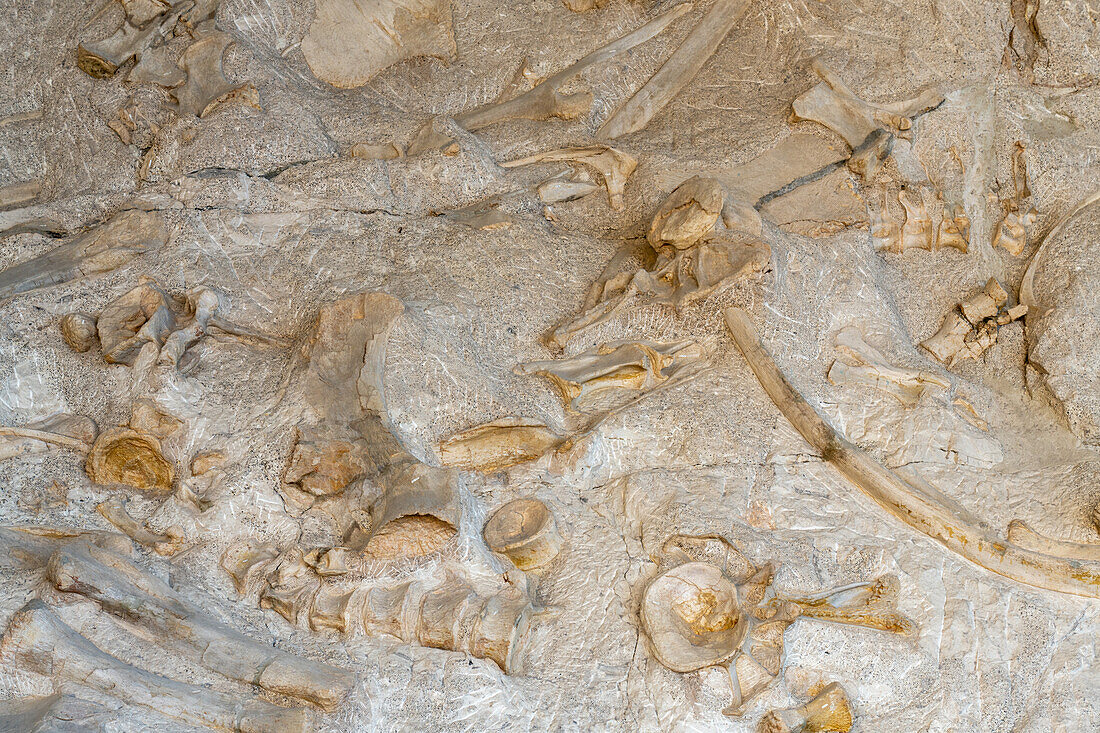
[{"x": 526, "y": 532}]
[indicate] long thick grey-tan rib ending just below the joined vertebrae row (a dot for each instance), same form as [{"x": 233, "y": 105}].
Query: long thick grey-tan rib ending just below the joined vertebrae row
[{"x": 124, "y": 589}]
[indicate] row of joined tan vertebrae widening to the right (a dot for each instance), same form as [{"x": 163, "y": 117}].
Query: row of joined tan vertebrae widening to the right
[{"x": 446, "y": 616}]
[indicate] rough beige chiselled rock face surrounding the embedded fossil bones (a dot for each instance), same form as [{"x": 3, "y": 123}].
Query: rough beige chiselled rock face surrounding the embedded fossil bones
[{"x": 269, "y": 209}]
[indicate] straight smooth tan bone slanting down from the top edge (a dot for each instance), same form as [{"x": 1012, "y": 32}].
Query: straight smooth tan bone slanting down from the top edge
[{"x": 681, "y": 68}]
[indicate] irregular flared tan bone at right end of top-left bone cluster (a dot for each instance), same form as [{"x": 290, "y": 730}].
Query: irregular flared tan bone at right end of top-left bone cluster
[{"x": 207, "y": 87}]
